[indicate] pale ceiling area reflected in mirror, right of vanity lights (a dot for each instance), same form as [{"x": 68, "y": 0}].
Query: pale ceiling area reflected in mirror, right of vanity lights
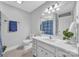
[{"x": 66, "y": 7}]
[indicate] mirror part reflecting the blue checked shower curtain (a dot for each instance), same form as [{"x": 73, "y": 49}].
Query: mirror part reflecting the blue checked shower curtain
[{"x": 47, "y": 25}]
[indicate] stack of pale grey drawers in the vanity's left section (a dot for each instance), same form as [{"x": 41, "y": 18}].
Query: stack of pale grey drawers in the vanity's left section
[{"x": 45, "y": 50}]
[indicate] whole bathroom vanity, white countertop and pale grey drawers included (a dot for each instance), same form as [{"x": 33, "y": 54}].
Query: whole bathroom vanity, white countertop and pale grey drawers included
[{"x": 44, "y": 47}]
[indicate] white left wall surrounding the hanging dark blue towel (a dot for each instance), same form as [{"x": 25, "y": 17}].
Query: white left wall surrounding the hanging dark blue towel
[{"x": 11, "y": 39}]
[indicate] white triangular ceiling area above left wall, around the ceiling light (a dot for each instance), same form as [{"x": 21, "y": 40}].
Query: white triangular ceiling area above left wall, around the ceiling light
[{"x": 28, "y": 6}]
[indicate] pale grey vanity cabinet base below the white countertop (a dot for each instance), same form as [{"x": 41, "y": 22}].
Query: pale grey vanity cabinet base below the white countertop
[{"x": 45, "y": 49}]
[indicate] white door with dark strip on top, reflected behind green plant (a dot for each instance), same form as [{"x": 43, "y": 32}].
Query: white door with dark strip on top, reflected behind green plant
[{"x": 64, "y": 21}]
